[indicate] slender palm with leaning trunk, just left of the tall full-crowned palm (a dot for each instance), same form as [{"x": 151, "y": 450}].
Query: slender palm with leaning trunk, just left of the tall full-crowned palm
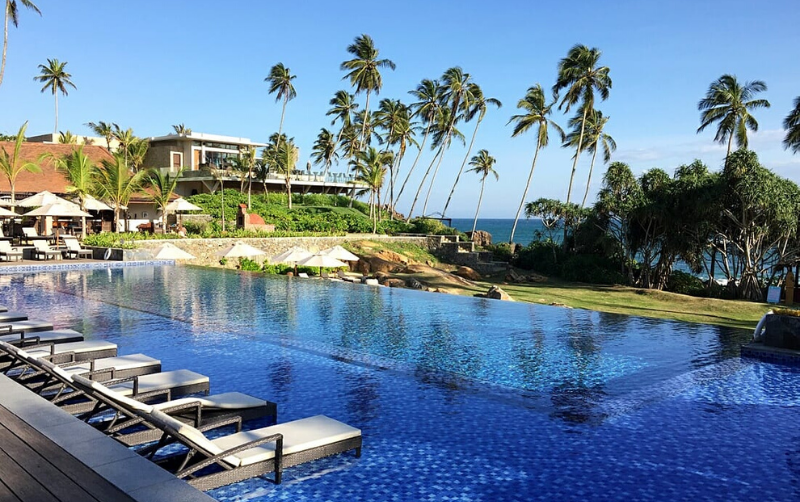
[{"x": 536, "y": 115}]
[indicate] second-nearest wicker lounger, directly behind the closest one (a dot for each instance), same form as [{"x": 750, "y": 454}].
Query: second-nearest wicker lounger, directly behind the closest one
[{"x": 130, "y": 428}]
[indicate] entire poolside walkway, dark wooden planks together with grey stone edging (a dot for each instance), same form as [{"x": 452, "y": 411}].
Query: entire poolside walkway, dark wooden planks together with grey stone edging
[{"x": 48, "y": 455}]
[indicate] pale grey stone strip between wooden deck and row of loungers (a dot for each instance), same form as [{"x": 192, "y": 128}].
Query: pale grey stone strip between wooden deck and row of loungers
[{"x": 138, "y": 477}]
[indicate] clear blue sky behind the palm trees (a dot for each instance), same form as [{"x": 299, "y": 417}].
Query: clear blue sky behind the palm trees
[{"x": 150, "y": 64}]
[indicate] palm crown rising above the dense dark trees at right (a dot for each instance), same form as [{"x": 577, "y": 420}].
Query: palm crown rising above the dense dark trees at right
[{"x": 728, "y": 103}]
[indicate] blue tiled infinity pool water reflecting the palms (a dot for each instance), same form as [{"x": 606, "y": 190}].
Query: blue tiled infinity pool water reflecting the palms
[{"x": 459, "y": 399}]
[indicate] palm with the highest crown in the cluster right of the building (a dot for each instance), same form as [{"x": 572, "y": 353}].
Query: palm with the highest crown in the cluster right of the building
[{"x": 364, "y": 71}]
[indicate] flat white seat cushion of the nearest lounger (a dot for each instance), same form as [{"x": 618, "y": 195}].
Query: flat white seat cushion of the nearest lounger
[{"x": 299, "y": 435}]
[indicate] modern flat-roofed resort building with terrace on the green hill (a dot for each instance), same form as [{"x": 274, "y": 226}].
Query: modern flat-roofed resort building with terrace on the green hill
[{"x": 207, "y": 160}]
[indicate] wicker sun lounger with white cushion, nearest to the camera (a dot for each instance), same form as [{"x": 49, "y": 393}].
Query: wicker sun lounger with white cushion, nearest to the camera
[{"x": 247, "y": 454}]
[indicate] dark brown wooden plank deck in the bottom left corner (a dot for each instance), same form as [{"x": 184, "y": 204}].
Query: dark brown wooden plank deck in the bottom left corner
[{"x": 36, "y": 469}]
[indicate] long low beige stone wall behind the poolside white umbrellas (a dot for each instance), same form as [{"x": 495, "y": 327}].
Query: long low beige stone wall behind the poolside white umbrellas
[{"x": 205, "y": 250}]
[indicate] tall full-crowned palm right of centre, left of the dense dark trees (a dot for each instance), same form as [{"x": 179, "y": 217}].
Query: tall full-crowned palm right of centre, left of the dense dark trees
[{"x": 579, "y": 74}]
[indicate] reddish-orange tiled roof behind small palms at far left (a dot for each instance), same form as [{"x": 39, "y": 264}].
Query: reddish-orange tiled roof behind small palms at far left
[{"x": 49, "y": 179}]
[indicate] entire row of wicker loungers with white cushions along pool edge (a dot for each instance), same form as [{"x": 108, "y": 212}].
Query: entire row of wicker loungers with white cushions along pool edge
[{"x": 130, "y": 398}]
